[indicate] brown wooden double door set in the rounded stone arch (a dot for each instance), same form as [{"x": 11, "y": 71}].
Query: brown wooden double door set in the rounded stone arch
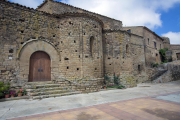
[{"x": 40, "y": 67}]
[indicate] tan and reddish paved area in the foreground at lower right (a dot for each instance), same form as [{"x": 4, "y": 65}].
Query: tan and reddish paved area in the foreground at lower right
[{"x": 146, "y": 108}]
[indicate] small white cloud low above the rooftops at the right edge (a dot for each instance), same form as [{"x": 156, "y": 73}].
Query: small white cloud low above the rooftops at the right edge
[{"x": 173, "y": 36}]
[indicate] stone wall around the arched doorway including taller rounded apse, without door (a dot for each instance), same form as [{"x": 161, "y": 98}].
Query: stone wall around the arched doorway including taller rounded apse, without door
[{"x": 23, "y": 29}]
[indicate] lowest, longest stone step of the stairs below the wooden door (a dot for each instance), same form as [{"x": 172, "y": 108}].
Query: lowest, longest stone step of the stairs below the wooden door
[{"x": 55, "y": 95}]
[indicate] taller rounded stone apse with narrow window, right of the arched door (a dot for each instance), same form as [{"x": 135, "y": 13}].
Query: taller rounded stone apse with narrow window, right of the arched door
[{"x": 75, "y": 46}]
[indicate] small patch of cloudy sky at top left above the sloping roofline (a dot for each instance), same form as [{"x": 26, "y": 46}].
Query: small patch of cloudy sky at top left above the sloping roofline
[{"x": 28, "y": 3}]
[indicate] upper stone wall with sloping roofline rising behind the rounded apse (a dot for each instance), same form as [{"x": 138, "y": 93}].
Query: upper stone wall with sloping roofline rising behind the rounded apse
[{"x": 54, "y": 7}]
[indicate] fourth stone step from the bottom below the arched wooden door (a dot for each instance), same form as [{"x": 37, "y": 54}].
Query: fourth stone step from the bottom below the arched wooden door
[{"x": 42, "y": 86}]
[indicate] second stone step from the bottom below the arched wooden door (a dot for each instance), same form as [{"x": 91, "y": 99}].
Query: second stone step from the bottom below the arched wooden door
[{"x": 49, "y": 92}]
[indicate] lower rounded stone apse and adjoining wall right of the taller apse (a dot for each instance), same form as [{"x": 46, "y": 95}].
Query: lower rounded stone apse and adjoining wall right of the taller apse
[{"x": 124, "y": 55}]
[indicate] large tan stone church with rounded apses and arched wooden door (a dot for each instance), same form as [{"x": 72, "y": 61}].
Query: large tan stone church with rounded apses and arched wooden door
[{"x": 70, "y": 47}]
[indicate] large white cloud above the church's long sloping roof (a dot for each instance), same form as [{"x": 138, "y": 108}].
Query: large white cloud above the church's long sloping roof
[{"x": 130, "y": 12}]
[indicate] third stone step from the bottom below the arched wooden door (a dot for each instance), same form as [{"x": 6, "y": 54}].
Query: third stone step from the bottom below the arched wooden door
[{"x": 46, "y": 89}]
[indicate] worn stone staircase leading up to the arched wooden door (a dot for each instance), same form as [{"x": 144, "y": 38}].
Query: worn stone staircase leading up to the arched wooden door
[{"x": 40, "y": 90}]
